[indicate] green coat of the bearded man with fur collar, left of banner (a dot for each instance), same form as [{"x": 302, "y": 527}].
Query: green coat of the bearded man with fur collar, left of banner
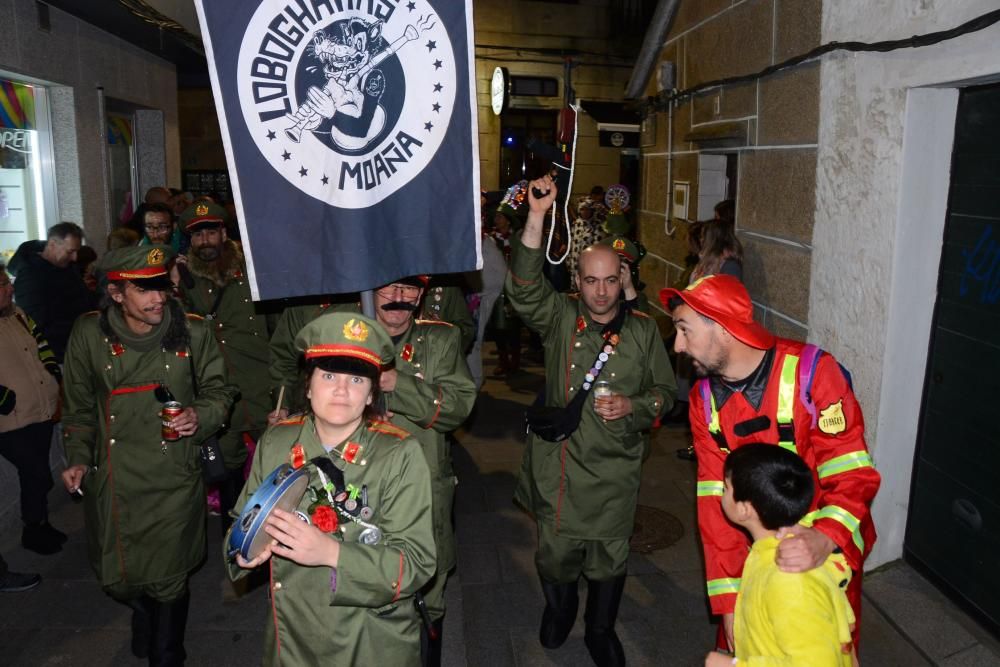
[{"x": 243, "y": 339}]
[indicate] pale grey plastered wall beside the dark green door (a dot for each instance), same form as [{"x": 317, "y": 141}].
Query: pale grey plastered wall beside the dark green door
[{"x": 886, "y": 131}]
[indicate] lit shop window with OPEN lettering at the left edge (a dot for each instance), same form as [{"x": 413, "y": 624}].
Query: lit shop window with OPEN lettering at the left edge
[{"x": 27, "y": 186}]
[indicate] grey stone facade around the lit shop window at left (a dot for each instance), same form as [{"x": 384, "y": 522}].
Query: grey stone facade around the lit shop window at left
[{"x": 78, "y": 59}]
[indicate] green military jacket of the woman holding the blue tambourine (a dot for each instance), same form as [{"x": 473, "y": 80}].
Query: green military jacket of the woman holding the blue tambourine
[{"x": 370, "y": 617}]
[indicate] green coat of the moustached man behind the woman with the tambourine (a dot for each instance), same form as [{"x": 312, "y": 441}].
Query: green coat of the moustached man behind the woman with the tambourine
[{"x": 434, "y": 395}]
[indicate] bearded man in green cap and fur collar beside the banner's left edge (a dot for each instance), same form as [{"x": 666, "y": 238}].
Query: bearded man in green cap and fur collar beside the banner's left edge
[{"x": 218, "y": 290}]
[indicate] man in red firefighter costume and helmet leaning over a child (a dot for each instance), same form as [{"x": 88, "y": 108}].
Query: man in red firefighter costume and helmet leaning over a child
[{"x": 756, "y": 387}]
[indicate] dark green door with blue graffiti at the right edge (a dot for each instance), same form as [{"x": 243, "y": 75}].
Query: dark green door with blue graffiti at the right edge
[{"x": 953, "y": 528}]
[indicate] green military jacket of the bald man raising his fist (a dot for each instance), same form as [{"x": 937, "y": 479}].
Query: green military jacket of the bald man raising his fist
[{"x": 587, "y": 486}]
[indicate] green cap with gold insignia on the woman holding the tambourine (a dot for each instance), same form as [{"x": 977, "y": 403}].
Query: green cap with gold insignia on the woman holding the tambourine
[{"x": 347, "y": 343}]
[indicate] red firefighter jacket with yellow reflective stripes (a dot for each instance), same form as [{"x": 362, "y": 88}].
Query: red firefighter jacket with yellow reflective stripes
[{"x": 832, "y": 445}]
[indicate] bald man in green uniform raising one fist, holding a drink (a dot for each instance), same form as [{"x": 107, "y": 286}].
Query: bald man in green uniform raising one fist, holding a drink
[{"x": 582, "y": 485}]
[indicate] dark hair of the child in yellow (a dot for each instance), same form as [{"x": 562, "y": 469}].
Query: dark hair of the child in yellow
[{"x": 776, "y": 482}]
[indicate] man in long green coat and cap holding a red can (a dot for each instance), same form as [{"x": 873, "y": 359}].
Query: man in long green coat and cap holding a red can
[{"x": 143, "y": 494}]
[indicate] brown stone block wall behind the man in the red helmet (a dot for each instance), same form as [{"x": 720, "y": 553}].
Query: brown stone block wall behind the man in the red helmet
[{"x": 770, "y": 126}]
